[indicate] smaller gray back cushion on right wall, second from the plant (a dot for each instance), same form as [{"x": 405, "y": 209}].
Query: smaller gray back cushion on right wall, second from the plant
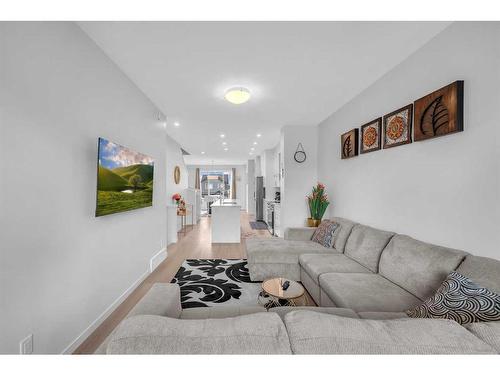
[{"x": 365, "y": 245}]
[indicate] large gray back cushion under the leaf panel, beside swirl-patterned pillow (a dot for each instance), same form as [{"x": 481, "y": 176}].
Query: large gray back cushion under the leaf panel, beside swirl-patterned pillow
[{"x": 416, "y": 266}]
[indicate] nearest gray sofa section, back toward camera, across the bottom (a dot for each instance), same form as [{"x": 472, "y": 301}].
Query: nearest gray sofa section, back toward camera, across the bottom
[{"x": 158, "y": 325}]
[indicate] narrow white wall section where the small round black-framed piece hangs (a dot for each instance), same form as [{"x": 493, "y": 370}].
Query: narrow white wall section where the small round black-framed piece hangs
[{"x": 299, "y": 178}]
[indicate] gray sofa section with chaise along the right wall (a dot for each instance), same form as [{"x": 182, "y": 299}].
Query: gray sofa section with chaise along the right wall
[{"x": 367, "y": 269}]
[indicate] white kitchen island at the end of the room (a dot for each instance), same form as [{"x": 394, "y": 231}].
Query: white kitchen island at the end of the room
[{"x": 226, "y": 226}]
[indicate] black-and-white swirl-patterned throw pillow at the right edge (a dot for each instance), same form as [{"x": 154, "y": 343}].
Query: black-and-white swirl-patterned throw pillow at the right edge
[{"x": 460, "y": 299}]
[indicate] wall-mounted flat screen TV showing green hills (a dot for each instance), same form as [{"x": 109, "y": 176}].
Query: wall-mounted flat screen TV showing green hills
[{"x": 124, "y": 179}]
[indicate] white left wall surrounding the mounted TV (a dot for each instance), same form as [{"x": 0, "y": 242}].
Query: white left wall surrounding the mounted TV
[{"x": 61, "y": 267}]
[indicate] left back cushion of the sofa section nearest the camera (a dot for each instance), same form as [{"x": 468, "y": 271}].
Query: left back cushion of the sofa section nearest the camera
[{"x": 261, "y": 333}]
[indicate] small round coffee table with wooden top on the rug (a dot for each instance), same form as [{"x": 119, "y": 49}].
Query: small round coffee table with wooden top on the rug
[{"x": 273, "y": 295}]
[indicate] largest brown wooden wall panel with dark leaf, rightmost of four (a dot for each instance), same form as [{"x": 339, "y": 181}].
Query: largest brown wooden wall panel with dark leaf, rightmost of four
[{"x": 440, "y": 112}]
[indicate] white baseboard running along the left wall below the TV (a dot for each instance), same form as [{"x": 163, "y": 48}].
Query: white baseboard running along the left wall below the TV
[{"x": 154, "y": 262}]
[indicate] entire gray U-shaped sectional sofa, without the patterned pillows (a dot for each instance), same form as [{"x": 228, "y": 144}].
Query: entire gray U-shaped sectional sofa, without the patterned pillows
[{"x": 362, "y": 286}]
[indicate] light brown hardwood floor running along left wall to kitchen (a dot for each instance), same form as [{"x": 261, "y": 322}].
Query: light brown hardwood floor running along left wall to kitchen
[{"x": 195, "y": 244}]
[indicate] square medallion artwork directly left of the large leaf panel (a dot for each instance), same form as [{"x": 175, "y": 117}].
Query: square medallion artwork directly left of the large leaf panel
[{"x": 397, "y": 127}]
